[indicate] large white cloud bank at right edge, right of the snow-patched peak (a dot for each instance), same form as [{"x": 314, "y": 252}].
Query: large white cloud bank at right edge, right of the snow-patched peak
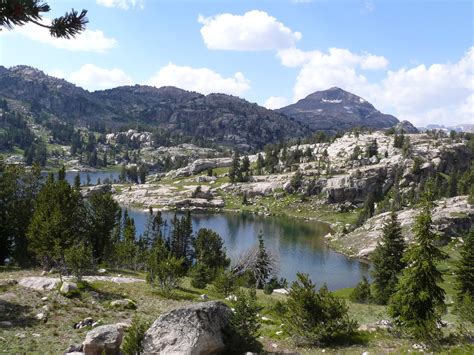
[{"x": 437, "y": 93}]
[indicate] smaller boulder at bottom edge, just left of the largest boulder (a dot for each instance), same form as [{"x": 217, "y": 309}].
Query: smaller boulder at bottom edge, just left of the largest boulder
[{"x": 106, "y": 338}]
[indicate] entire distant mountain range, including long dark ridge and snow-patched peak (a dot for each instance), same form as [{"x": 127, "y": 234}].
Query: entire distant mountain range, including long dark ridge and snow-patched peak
[{"x": 224, "y": 119}]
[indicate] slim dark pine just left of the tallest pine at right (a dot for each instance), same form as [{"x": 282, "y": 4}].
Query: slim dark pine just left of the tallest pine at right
[{"x": 387, "y": 260}]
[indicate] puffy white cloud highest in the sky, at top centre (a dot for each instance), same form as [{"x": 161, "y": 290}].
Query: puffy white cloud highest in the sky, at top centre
[{"x": 253, "y": 31}]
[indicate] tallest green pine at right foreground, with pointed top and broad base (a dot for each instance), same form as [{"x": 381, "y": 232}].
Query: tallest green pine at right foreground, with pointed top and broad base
[{"x": 418, "y": 303}]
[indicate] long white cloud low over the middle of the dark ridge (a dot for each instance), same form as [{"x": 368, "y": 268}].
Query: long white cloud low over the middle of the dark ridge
[{"x": 202, "y": 80}]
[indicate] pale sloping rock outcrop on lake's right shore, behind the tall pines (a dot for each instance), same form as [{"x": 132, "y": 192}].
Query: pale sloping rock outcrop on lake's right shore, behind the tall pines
[{"x": 451, "y": 217}]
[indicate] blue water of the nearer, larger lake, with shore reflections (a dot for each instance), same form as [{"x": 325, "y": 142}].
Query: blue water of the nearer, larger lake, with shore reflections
[{"x": 298, "y": 244}]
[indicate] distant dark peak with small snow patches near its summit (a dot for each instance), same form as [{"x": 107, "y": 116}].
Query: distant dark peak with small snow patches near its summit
[{"x": 336, "y": 109}]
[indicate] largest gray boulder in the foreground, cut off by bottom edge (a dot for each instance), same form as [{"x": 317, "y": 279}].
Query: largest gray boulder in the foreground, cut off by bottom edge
[{"x": 193, "y": 330}]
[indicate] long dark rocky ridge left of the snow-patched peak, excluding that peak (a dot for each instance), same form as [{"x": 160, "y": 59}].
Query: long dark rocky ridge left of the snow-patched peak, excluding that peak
[{"x": 220, "y": 118}]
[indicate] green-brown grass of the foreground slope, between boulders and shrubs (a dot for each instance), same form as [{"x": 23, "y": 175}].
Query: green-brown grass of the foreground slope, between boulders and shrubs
[{"x": 28, "y": 335}]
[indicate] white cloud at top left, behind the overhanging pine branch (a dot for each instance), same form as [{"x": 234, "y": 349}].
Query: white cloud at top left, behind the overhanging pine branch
[{"x": 87, "y": 41}]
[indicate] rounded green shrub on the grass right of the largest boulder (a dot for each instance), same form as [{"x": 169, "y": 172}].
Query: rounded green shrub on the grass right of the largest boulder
[{"x": 316, "y": 317}]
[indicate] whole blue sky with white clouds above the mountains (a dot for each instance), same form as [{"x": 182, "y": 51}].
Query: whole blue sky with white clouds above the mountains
[{"x": 413, "y": 59}]
